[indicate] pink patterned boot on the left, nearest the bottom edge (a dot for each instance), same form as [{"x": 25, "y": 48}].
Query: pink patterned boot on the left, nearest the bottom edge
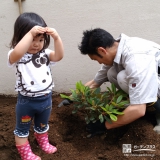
[{"x": 26, "y": 152}]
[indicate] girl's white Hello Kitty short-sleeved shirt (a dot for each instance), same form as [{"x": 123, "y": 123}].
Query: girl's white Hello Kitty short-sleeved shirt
[{"x": 33, "y": 74}]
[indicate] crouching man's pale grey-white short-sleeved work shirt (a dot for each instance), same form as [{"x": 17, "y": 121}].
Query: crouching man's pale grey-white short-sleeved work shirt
[{"x": 140, "y": 59}]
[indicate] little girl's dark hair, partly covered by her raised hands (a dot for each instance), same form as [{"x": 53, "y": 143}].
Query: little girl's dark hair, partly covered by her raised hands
[{"x": 24, "y": 23}]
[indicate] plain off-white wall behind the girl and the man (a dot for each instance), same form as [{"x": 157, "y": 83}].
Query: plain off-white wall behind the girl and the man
[{"x": 70, "y": 17}]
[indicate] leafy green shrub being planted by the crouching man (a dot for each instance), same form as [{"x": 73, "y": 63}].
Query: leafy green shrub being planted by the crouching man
[{"x": 98, "y": 105}]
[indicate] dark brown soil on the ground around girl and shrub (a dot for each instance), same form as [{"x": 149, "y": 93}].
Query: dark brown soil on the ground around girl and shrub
[{"x": 68, "y": 133}]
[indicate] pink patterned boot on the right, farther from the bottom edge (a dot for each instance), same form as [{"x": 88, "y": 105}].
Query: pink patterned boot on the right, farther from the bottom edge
[{"x": 43, "y": 142}]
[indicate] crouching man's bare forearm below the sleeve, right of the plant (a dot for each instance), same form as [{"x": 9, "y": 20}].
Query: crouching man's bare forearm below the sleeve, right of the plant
[{"x": 131, "y": 113}]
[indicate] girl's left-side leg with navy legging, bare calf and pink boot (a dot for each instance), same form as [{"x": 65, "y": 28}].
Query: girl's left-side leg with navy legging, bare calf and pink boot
[{"x": 24, "y": 115}]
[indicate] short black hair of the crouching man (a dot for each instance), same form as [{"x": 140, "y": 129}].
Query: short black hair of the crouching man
[{"x": 94, "y": 38}]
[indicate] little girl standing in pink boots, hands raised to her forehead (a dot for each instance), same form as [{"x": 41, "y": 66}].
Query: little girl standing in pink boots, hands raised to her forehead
[{"x": 32, "y": 59}]
